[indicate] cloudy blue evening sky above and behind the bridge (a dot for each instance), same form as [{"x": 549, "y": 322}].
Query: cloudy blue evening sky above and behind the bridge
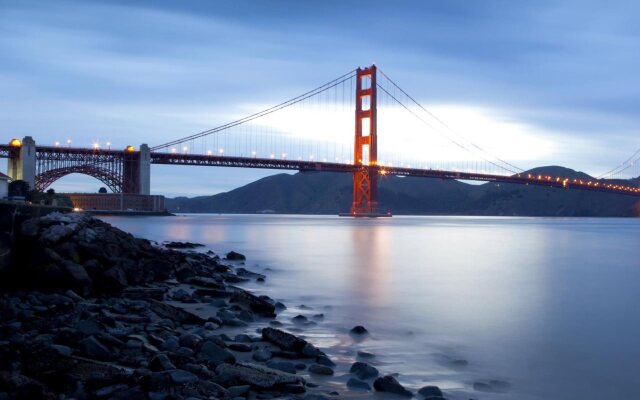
[{"x": 536, "y": 82}]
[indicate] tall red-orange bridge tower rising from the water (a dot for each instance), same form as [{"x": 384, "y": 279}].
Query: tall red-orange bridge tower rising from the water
[{"x": 365, "y": 178}]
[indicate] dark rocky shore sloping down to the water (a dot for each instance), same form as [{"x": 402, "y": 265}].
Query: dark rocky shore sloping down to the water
[{"x": 87, "y": 311}]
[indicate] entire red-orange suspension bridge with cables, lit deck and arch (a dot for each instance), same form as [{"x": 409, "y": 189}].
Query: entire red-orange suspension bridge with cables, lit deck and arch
[{"x": 361, "y": 123}]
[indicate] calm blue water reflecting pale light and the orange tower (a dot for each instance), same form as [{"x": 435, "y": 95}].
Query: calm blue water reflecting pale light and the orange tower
[{"x": 550, "y": 306}]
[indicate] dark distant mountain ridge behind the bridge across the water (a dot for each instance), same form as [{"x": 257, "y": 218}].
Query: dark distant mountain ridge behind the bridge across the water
[{"x": 330, "y": 193}]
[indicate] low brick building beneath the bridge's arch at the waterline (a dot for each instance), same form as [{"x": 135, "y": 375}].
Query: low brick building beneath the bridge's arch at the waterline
[{"x": 117, "y": 202}]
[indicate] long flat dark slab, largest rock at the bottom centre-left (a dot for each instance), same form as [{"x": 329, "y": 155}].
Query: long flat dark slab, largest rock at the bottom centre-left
[{"x": 255, "y": 375}]
